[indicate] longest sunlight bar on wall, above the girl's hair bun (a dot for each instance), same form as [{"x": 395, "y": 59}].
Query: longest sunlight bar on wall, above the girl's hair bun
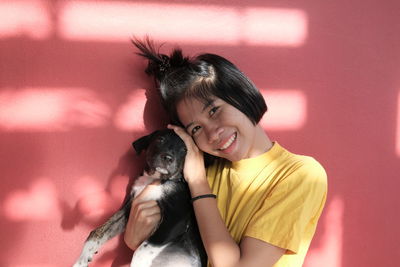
[{"x": 197, "y": 24}]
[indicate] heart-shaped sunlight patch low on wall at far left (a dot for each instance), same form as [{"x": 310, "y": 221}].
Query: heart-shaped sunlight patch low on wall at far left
[{"x": 37, "y": 203}]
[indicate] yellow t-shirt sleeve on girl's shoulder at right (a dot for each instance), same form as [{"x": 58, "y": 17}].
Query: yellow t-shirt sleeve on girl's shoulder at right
[{"x": 295, "y": 203}]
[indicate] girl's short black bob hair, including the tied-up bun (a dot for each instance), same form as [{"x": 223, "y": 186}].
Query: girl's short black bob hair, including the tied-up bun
[{"x": 203, "y": 77}]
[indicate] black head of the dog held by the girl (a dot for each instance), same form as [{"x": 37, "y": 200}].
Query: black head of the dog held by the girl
[{"x": 165, "y": 153}]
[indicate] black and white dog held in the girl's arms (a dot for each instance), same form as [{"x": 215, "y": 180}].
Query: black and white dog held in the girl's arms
[{"x": 176, "y": 241}]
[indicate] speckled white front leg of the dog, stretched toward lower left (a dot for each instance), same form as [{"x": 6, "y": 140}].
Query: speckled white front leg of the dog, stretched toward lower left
[{"x": 114, "y": 226}]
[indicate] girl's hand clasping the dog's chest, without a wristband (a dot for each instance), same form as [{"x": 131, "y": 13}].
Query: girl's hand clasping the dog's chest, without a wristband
[{"x": 143, "y": 219}]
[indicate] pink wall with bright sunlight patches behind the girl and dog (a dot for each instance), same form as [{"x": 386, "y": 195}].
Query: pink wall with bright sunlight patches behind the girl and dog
[{"x": 73, "y": 96}]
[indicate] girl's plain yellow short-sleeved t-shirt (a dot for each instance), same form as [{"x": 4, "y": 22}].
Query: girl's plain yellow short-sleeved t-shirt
[{"x": 276, "y": 197}]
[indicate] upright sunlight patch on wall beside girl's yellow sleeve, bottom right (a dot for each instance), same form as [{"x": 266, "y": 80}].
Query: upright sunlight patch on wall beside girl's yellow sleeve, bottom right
[{"x": 330, "y": 251}]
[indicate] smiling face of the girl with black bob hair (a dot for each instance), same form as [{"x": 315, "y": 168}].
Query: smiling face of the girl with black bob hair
[{"x": 218, "y": 128}]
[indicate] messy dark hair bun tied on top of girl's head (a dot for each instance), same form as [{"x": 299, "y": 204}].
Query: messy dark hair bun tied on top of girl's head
[{"x": 159, "y": 64}]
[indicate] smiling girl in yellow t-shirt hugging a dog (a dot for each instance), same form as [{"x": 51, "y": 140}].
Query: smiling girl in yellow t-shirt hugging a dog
[{"x": 256, "y": 203}]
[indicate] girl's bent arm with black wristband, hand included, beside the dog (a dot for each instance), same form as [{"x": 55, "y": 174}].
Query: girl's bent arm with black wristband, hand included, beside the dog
[{"x": 221, "y": 249}]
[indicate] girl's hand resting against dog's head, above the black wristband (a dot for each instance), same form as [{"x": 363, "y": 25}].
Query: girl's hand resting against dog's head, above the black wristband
[{"x": 194, "y": 169}]
